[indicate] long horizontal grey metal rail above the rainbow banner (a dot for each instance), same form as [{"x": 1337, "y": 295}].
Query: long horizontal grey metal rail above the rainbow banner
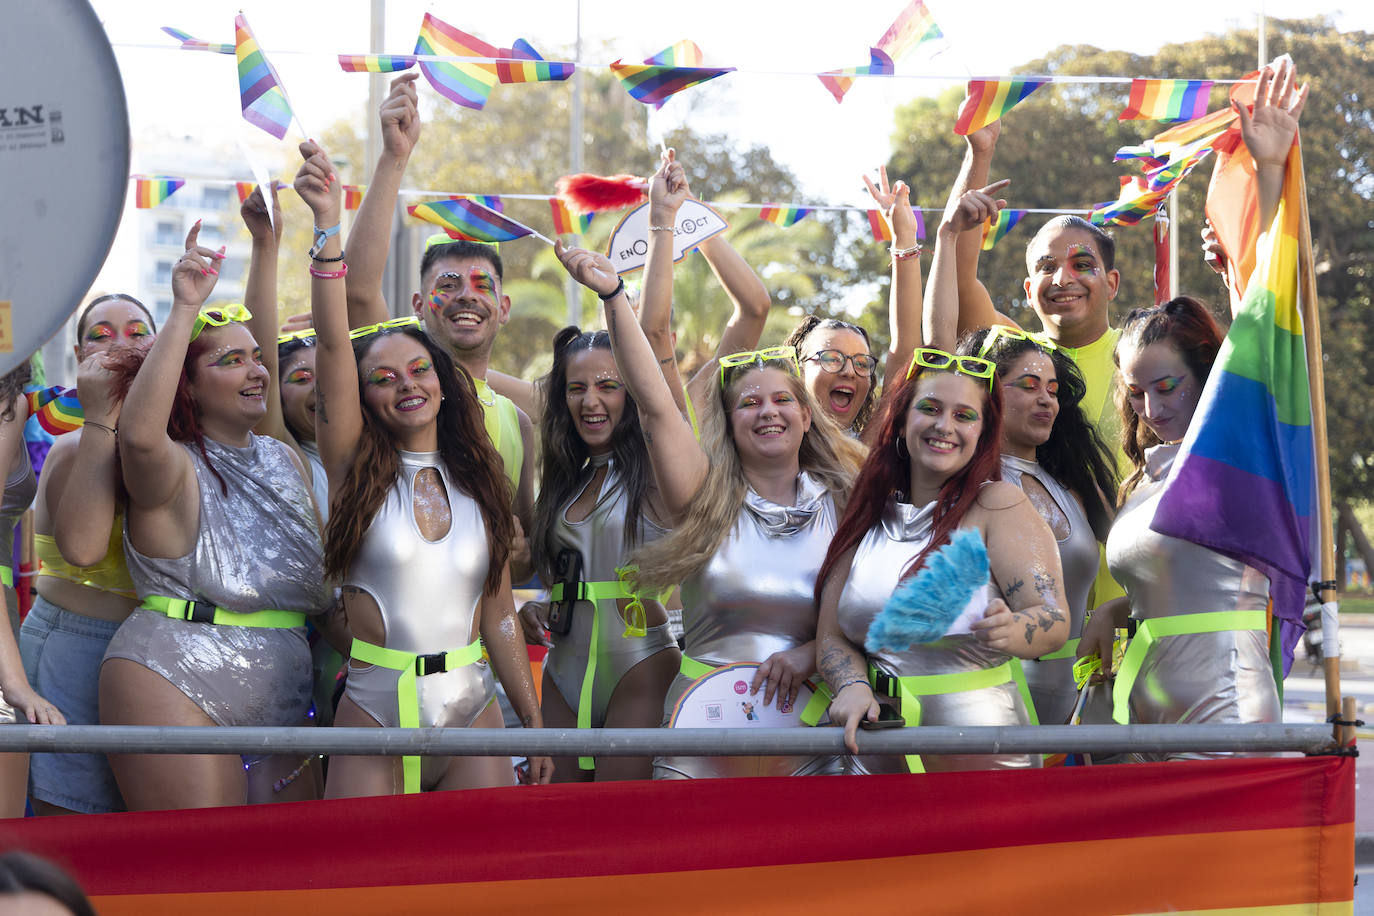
[{"x": 644, "y": 742}]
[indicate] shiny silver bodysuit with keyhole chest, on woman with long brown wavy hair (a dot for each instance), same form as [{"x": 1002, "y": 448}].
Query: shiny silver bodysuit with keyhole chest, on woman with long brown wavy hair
[{"x": 429, "y": 594}]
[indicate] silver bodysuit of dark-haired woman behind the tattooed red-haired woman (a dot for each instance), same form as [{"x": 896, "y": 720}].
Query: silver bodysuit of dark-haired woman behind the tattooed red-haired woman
[{"x": 1052, "y": 682}]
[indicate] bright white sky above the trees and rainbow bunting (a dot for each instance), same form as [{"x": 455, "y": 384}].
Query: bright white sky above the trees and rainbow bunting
[{"x": 780, "y": 42}]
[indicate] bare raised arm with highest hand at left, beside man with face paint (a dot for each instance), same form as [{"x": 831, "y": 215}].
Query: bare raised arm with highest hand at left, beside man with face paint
[{"x": 370, "y": 240}]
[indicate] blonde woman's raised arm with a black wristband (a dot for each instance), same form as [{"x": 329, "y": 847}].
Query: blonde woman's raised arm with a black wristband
[{"x": 679, "y": 463}]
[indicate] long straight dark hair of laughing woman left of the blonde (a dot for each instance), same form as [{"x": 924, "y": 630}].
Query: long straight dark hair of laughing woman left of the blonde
[{"x": 565, "y": 454}]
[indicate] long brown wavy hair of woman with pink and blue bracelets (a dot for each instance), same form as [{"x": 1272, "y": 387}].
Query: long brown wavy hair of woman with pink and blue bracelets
[{"x": 468, "y": 454}]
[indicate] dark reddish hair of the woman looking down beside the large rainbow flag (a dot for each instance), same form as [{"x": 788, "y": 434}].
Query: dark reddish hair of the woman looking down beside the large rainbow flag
[{"x": 1189, "y": 328}]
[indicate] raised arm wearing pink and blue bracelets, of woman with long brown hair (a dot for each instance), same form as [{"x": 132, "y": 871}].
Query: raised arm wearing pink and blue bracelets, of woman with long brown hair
[{"x": 339, "y": 415}]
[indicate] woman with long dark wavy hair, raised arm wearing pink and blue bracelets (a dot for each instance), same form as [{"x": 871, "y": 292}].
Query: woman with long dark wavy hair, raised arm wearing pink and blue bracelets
[{"x": 420, "y": 532}]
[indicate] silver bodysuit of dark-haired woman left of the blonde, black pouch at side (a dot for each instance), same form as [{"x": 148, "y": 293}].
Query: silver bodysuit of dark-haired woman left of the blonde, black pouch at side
[{"x": 600, "y": 539}]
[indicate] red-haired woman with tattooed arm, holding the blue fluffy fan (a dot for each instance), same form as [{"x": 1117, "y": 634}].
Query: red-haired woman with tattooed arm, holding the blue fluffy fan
[{"x": 934, "y": 469}]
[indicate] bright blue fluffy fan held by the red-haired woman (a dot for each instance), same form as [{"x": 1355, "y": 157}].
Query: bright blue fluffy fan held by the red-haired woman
[{"x": 924, "y": 608}]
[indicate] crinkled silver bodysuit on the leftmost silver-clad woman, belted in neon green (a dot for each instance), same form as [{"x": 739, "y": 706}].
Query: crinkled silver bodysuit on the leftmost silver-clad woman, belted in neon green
[{"x": 258, "y": 549}]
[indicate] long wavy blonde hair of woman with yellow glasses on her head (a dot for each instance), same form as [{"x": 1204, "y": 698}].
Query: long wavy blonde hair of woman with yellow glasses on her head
[{"x": 826, "y": 453}]
